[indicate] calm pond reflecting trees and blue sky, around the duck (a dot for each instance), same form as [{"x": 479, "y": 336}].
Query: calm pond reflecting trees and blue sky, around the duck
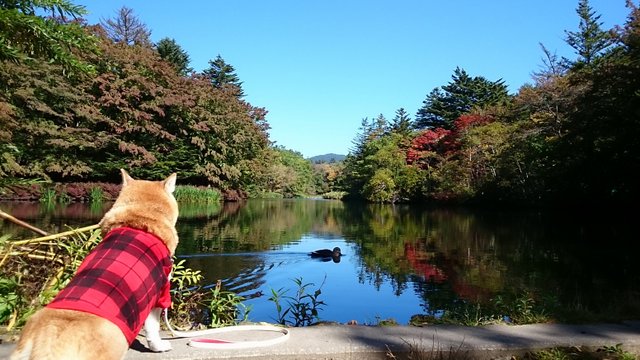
[{"x": 398, "y": 260}]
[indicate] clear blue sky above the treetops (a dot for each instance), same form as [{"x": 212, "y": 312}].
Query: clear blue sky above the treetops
[{"x": 321, "y": 66}]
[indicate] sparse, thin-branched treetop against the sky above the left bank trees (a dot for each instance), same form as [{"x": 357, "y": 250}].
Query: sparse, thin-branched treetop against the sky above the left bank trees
[{"x": 127, "y": 28}]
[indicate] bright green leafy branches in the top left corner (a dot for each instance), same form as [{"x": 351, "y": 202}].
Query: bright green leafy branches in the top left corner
[{"x": 24, "y": 36}]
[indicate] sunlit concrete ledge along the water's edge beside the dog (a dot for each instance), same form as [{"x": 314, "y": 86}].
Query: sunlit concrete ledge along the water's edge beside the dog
[{"x": 364, "y": 342}]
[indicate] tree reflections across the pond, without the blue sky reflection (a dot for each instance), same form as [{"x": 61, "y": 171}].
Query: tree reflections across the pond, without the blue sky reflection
[{"x": 443, "y": 255}]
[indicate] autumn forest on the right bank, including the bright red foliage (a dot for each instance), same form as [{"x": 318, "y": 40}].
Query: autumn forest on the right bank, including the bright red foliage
[{"x": 571, "y": 137}]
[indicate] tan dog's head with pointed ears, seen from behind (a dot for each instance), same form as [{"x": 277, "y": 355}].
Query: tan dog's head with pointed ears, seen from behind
[{"x": 145, "y": 205}]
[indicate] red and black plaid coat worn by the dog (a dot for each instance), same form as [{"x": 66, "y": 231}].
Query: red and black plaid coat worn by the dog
[{"x": 121, "y": 280}]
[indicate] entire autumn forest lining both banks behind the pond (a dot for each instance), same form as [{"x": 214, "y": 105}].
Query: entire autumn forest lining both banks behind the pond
[{"x": 79, "y": 101}]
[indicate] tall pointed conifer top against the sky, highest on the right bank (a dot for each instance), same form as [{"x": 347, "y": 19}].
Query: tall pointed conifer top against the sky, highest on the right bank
[{"x": 590, "y": 40}]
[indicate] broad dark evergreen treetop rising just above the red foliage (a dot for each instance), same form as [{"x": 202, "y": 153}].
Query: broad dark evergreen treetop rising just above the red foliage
[{"x": 445, "y": 104}]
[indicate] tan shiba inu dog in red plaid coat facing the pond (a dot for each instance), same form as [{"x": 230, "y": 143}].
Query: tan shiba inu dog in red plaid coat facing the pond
[{"x": 121, "y": 286}]
